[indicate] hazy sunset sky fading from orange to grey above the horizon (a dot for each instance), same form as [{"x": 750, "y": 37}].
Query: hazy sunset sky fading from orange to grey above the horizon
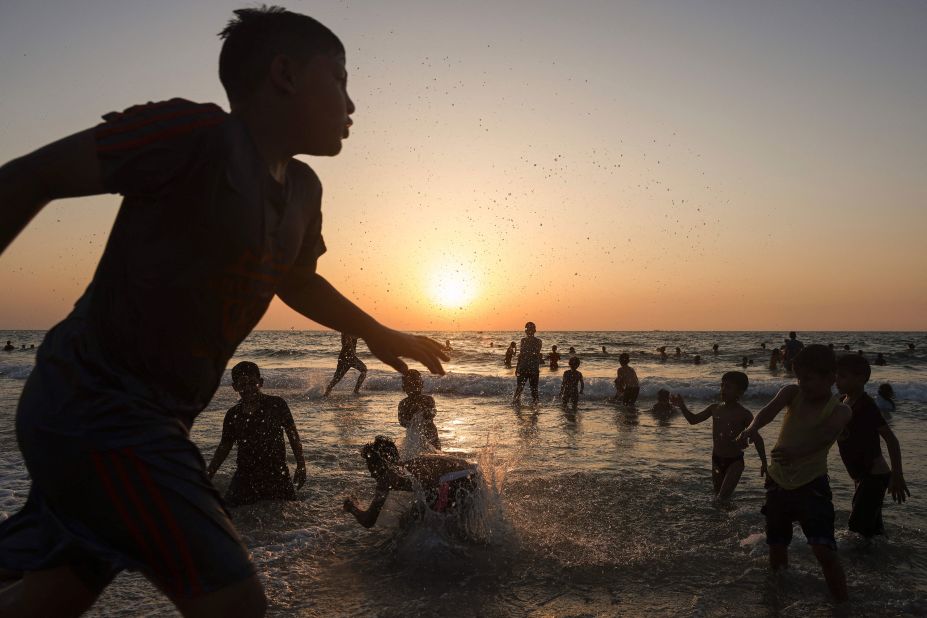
[{"x": 619, "y": 167}]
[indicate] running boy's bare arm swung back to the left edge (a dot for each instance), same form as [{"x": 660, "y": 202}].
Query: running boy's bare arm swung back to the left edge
[{"x": 66, "y": 168}]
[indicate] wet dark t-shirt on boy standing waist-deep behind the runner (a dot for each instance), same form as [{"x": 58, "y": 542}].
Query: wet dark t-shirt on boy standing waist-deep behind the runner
[{"x": 260, "y": 437}]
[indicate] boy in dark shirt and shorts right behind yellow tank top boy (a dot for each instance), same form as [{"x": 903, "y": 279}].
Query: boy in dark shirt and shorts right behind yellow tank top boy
[{"x": 861, "y": 452}]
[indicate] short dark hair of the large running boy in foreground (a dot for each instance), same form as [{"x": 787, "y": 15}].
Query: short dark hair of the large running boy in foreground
[{"x": 254, "y": 36}]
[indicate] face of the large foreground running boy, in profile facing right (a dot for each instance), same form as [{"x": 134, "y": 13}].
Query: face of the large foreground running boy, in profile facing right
[{"x": 321, "y": 107}]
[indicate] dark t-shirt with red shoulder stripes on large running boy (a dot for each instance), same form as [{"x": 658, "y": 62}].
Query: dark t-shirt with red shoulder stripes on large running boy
[{"x": 202, "y": 240}]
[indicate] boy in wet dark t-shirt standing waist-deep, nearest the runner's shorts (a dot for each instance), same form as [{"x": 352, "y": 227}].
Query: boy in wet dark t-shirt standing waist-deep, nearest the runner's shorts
[{"x": 257, "y": 424}]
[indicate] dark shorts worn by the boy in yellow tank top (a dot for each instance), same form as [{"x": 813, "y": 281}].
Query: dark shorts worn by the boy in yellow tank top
[{"x": 811, "y": 505}]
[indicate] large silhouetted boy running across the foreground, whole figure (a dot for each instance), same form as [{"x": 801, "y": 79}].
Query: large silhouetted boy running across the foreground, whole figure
[{"x": 217, "y": 218}]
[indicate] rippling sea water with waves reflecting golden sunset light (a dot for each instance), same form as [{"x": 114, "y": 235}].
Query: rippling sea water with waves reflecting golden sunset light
[{"x": 605, "y": 512}]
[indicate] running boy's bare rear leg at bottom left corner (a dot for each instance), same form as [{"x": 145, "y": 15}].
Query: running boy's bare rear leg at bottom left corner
[{"x": 52, "y": 592}]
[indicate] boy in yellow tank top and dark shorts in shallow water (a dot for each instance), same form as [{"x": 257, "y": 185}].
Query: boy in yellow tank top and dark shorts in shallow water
[{"x": 797, "y": 486}]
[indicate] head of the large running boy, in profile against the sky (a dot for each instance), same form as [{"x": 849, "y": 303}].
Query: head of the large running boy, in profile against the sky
[{"x": 290, "y": 68}]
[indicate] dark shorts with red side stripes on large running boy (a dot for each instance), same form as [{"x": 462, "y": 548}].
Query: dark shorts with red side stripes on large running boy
[{"x": 115, "y": 486}]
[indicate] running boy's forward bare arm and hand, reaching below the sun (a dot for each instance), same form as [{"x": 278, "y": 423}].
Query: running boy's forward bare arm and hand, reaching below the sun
[{"x": 318, "y": 300}]
